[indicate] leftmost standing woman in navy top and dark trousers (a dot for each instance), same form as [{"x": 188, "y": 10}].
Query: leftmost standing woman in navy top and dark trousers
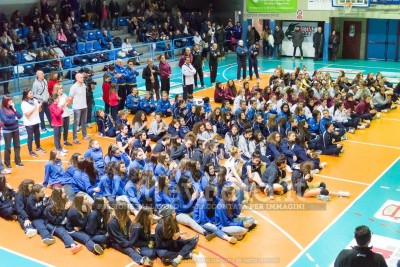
[{"x": 9, "y": 117}]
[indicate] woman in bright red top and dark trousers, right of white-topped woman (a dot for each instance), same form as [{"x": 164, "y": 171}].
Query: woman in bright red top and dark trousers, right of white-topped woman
[{"x": 56, "y": 112}]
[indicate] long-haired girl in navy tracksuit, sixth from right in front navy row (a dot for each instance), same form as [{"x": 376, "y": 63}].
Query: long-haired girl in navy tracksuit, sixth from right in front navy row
[{"x": 56, "y": 216}]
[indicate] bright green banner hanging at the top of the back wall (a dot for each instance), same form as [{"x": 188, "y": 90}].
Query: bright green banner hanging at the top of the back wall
[{"x": 271, "y": 6}]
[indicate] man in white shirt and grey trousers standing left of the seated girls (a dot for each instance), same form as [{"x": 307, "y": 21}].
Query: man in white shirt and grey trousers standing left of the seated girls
[{"x": 77, "y": 95}]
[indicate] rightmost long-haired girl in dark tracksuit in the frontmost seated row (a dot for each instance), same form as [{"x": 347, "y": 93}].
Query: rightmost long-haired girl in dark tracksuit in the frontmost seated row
[{"x": 170, "y": 247}]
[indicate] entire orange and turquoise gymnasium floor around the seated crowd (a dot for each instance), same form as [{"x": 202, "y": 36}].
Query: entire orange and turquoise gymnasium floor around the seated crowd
[{"x": 309, "y": 233}]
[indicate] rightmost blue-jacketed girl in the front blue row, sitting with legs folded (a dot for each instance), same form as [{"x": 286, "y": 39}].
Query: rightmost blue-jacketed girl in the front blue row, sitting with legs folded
[{"x": 227, "y": 215}]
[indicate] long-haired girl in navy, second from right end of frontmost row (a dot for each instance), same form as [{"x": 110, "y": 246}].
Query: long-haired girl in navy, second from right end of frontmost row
[{"x": 141, "y": 236}]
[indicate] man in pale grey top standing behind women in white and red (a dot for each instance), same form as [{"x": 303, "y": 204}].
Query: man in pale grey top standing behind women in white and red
[{"x": 41, "y": 93}]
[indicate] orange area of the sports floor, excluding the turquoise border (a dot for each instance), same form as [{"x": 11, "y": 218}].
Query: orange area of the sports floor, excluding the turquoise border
[{"x": 279, "y": 236}]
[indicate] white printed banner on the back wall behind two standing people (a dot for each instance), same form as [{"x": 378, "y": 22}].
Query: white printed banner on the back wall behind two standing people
[{"x": 308, "y": 29}]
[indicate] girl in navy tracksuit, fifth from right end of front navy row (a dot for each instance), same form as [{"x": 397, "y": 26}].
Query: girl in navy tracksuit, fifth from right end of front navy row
[{"x": 77, "y": 216}]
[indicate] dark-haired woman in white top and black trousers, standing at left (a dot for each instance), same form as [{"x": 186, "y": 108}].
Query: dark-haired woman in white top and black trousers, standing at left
[{"x": 30, "y": 109}]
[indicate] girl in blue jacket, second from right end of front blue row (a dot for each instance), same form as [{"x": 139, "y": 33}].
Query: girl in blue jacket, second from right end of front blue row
[{"x": 204, "y": 213}]
